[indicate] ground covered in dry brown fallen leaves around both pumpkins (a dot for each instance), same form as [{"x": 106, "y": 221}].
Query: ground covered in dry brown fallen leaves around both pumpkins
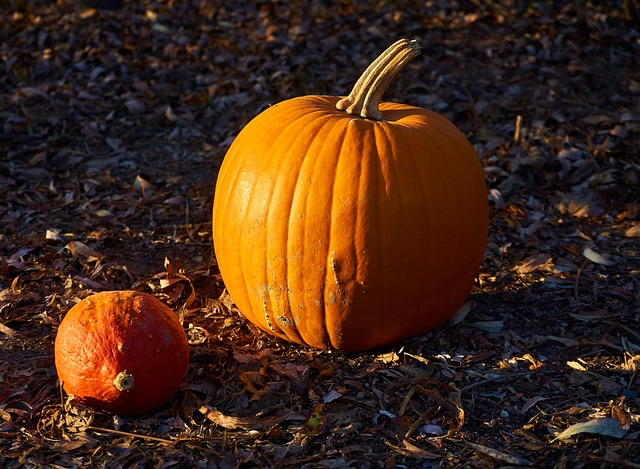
[{"x": 112, "y": 126}]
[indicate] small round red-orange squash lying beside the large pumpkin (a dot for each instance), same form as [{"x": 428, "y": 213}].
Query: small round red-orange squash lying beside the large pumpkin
[{"x": 124, "y": 352}]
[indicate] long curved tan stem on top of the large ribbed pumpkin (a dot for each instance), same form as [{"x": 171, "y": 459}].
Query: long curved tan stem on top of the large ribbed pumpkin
[{"x": 366, "y": 94}]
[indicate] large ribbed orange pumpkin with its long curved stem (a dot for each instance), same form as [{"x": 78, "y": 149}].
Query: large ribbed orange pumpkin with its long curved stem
[{"x": 350, "y": 223}]
